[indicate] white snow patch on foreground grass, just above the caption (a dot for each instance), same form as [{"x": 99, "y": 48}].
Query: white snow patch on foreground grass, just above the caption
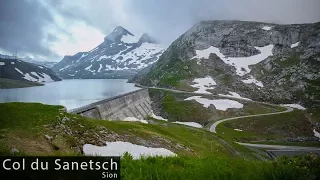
[{"x": 118, "y": 148}]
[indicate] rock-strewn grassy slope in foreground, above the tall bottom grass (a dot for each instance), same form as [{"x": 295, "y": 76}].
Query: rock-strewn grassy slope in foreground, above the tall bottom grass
[{"x": 24, "y": 126}]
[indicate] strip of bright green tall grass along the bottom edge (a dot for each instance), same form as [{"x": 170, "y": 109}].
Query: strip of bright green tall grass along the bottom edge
[{"x": 216, "y": 168}]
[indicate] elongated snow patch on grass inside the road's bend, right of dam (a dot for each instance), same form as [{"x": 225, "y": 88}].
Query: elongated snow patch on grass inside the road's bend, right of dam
[{"x": 219, "y": 104}]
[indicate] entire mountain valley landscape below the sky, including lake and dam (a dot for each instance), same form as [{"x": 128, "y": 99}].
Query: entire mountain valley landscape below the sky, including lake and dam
[{"x": 226, "y": 100}]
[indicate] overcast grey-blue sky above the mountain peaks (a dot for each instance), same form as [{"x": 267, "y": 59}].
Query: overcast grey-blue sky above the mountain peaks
[{"x": 50, "y": 29}]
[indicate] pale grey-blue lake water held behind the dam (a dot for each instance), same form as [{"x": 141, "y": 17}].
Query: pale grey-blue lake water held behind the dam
[{"x": 69, "y": 93}]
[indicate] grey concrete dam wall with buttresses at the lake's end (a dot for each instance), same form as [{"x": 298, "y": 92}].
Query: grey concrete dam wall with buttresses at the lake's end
[{"x": 133, "y": 104}]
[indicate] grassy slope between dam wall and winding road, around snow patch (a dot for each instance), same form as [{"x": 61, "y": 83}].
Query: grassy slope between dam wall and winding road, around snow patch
[{"x": 177, "y": 109}]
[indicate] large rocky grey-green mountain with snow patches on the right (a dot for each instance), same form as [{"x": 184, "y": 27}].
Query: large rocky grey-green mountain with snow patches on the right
[{"x": 261, "y": 61}]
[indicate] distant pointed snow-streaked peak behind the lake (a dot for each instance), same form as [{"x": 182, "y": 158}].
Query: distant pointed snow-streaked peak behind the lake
[{"x": 121, "y": 55}]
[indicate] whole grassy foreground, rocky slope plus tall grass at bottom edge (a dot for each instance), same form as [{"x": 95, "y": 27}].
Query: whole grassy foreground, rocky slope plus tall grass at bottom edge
[{"x": 200, "y": 156}]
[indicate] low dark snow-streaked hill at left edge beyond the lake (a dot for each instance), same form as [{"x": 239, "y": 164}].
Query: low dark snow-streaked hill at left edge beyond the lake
[{"x": 15, "y": 69}]
